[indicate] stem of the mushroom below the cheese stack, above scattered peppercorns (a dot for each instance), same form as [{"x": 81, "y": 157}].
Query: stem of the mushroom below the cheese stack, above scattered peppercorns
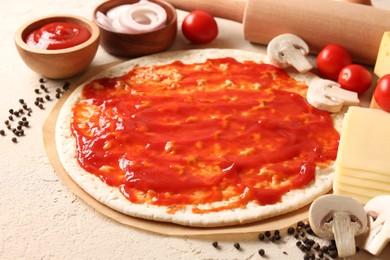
[{"x": 344, "y": 233}]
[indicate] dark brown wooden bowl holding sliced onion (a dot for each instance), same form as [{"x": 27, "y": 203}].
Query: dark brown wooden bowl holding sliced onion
[{"x": 135, "y": 45}]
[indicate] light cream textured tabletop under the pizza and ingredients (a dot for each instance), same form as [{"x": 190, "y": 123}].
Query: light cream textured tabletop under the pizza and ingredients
[{"x": 40, "y": 218}]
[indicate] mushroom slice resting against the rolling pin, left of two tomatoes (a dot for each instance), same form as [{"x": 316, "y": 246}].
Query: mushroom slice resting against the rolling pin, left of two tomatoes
[{"x": 289, "y": 50}]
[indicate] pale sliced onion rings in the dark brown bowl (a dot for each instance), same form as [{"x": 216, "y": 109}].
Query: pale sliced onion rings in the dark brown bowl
[{"x": 140, "y": 17}]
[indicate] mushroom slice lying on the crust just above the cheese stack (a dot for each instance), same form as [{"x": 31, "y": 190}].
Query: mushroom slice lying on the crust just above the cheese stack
[{"x": 329, "y": 96}]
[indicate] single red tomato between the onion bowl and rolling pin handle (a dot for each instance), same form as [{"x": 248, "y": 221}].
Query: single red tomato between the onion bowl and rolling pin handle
[{"x": 199, "y": 27}]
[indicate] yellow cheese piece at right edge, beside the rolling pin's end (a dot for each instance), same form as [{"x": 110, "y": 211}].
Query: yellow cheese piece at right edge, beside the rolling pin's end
[{"x": 382, "y": 65}]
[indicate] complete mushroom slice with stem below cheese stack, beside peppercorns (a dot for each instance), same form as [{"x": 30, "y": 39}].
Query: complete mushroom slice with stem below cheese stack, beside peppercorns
[{"x": 339, "y": 217}]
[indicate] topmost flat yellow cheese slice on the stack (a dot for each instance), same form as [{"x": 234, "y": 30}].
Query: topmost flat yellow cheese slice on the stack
[{"x": 365, "y": 141}]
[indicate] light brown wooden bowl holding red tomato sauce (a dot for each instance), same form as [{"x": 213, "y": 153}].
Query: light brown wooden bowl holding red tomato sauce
[{"x": 62, "y": 63}]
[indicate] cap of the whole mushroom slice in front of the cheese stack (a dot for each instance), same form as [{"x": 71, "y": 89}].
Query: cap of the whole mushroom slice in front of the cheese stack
[{"x": 323, "y": 209}]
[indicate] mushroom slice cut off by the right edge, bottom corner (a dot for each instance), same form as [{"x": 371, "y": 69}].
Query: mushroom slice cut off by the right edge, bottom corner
[{"x": 378, "y": 210}]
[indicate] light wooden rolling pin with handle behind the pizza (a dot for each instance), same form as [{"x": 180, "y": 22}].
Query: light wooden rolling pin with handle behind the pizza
[{"x": 359, "y": 28}]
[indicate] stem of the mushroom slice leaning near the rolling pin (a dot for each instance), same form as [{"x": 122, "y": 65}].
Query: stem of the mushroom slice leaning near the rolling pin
[{"x": 294, "y": 56}]
